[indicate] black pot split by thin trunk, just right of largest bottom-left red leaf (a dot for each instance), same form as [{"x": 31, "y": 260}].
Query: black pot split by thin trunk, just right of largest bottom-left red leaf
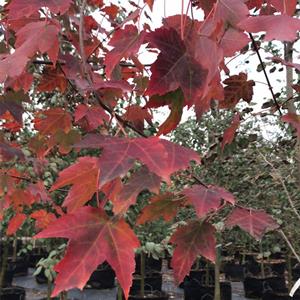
[{"x": 153, "y": 282}]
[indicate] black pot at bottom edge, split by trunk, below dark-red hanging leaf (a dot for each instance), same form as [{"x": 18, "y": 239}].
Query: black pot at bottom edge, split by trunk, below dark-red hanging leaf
[{"x": 192, "y": 292}]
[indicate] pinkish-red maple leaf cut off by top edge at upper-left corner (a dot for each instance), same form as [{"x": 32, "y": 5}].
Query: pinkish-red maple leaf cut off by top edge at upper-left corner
[{"x": 20, "y": 9}]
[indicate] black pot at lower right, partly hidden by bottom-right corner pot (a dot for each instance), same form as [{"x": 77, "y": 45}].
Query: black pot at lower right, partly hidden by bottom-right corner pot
[{"x": 255, "y": 287}]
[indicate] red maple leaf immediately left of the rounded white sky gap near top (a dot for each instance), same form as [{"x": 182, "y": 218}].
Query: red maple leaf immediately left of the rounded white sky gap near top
[{"x": 126, "y": 43}]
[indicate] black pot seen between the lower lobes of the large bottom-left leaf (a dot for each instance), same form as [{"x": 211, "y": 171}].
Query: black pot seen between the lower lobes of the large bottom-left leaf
[{"x": 102, "y": 278}]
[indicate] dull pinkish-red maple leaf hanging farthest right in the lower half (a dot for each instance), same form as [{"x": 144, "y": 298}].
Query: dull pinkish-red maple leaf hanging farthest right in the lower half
[{"x": 255, "y": 222}]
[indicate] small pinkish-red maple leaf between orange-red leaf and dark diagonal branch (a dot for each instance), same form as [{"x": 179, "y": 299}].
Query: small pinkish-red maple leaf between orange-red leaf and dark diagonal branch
[{"x": 94, "y": 116}]
